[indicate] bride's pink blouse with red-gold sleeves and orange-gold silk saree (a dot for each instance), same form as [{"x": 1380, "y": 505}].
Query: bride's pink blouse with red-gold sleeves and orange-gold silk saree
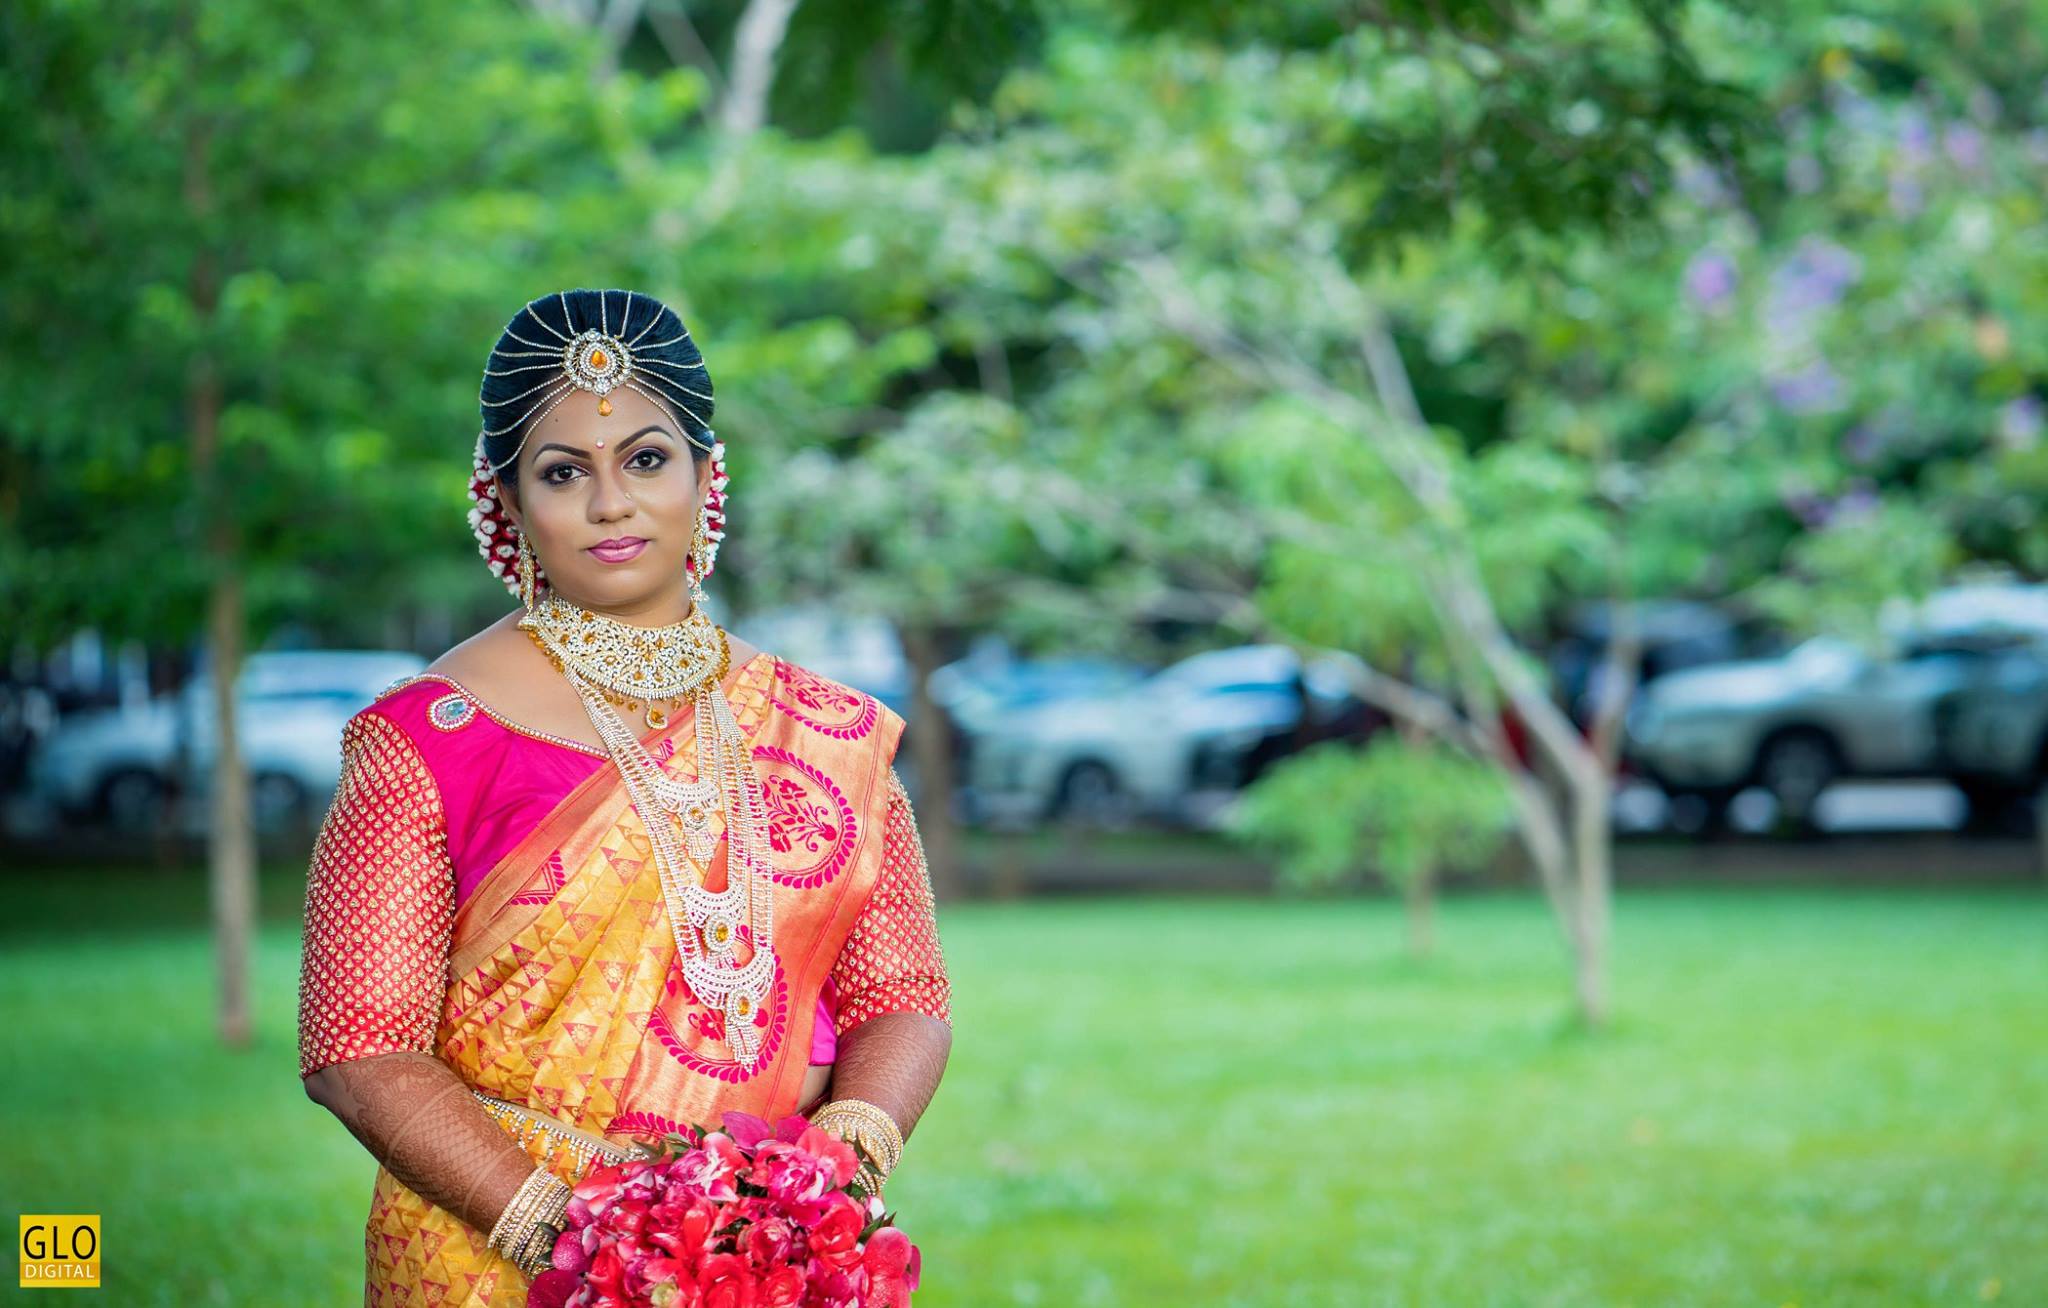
[{"x": 486, "y": 893}]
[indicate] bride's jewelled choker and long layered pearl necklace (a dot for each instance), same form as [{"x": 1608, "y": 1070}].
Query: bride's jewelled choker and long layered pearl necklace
[{"x": 609, "y": 662}]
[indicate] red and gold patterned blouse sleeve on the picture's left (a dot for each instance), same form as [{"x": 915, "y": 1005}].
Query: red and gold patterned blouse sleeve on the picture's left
[{"x": 380, "y": 906}]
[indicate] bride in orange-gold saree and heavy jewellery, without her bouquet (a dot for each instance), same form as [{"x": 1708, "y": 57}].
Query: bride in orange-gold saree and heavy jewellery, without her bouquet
[{"x": 605, "y": 871}]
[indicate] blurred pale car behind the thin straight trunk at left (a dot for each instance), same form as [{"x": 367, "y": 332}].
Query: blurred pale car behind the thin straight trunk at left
[{"x": 122, "y": 767}]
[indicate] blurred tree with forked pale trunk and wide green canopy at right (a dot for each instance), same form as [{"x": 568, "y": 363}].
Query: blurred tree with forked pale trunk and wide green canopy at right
[{"x": 1584, "y": 427}]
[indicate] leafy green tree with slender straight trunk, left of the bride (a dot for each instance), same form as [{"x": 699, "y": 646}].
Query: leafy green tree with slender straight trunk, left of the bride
[{"x": 249, "y": 288}]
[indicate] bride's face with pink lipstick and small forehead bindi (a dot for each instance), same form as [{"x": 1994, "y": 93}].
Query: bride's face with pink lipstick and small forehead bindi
[{"x": 609, "y": 507}]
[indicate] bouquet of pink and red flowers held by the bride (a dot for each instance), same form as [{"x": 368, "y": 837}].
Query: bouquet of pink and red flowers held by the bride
[{"x": 749, "y": 1217}]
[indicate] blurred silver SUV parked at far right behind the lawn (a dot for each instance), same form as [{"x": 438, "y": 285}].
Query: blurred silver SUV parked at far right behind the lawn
[{"x": 1828, "y": 709}]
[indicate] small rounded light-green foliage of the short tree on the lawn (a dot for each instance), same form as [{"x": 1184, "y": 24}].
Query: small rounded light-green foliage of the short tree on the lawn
[{"x": 1398, "y": 810}]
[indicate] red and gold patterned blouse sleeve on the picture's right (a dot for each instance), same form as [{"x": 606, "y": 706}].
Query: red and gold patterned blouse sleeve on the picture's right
[{"x": 892, "y": 961}]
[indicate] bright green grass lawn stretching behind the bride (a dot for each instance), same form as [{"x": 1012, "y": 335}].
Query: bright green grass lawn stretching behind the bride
[{"x": 1807, "y": 1098}]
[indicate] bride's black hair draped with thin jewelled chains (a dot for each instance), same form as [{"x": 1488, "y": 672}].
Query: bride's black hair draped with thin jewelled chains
[{"x": 667, "y": 367}]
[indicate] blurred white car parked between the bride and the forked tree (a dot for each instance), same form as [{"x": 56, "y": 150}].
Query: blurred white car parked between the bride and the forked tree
[{"x": 1150, "y": 748}]
